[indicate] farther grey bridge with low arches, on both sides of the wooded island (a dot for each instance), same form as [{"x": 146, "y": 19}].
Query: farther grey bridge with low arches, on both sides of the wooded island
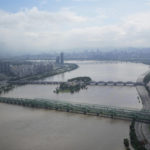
[{"x": 99, "y": 83}]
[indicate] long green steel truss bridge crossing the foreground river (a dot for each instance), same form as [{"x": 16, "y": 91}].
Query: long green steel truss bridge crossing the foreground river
[{"x": 89, "y": 109}]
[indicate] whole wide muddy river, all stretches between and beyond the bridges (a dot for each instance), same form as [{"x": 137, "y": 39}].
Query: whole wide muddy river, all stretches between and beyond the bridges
[{"x": 29, "y": 129}]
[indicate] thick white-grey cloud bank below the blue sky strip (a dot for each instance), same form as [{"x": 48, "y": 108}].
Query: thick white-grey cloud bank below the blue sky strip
[{"x": 40, "y": 30}]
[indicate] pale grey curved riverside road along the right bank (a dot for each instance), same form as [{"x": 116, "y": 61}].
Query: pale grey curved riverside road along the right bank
[{"x": 143, "y": 130}]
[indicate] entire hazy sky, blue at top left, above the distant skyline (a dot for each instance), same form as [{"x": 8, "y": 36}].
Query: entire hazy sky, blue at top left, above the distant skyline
[{"x": 45, "y": 25}]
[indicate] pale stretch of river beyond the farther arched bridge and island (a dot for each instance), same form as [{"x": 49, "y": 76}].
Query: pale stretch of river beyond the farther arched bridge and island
[{"x": 103, "y": 71}]
